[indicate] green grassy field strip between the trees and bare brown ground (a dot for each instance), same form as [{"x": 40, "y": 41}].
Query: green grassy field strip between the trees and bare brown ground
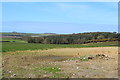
[{"x": 19, "y": 46}]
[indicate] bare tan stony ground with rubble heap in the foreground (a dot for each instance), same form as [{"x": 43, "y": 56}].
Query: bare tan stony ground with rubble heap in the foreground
[{"x": 63, "y": 62}]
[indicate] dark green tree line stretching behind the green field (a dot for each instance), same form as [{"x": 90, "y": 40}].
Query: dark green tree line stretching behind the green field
[{"x": 80, "y": 38}]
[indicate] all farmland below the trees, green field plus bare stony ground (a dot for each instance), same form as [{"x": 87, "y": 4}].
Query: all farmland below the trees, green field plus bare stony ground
[{"x": 40, "y": 60}]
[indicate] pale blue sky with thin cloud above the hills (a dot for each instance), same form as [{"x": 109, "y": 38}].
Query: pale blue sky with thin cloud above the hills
[{"x": 59, "y": 17}]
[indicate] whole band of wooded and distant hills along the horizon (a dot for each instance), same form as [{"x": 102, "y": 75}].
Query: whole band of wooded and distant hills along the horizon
[{"x": 52, "y": 38}]
